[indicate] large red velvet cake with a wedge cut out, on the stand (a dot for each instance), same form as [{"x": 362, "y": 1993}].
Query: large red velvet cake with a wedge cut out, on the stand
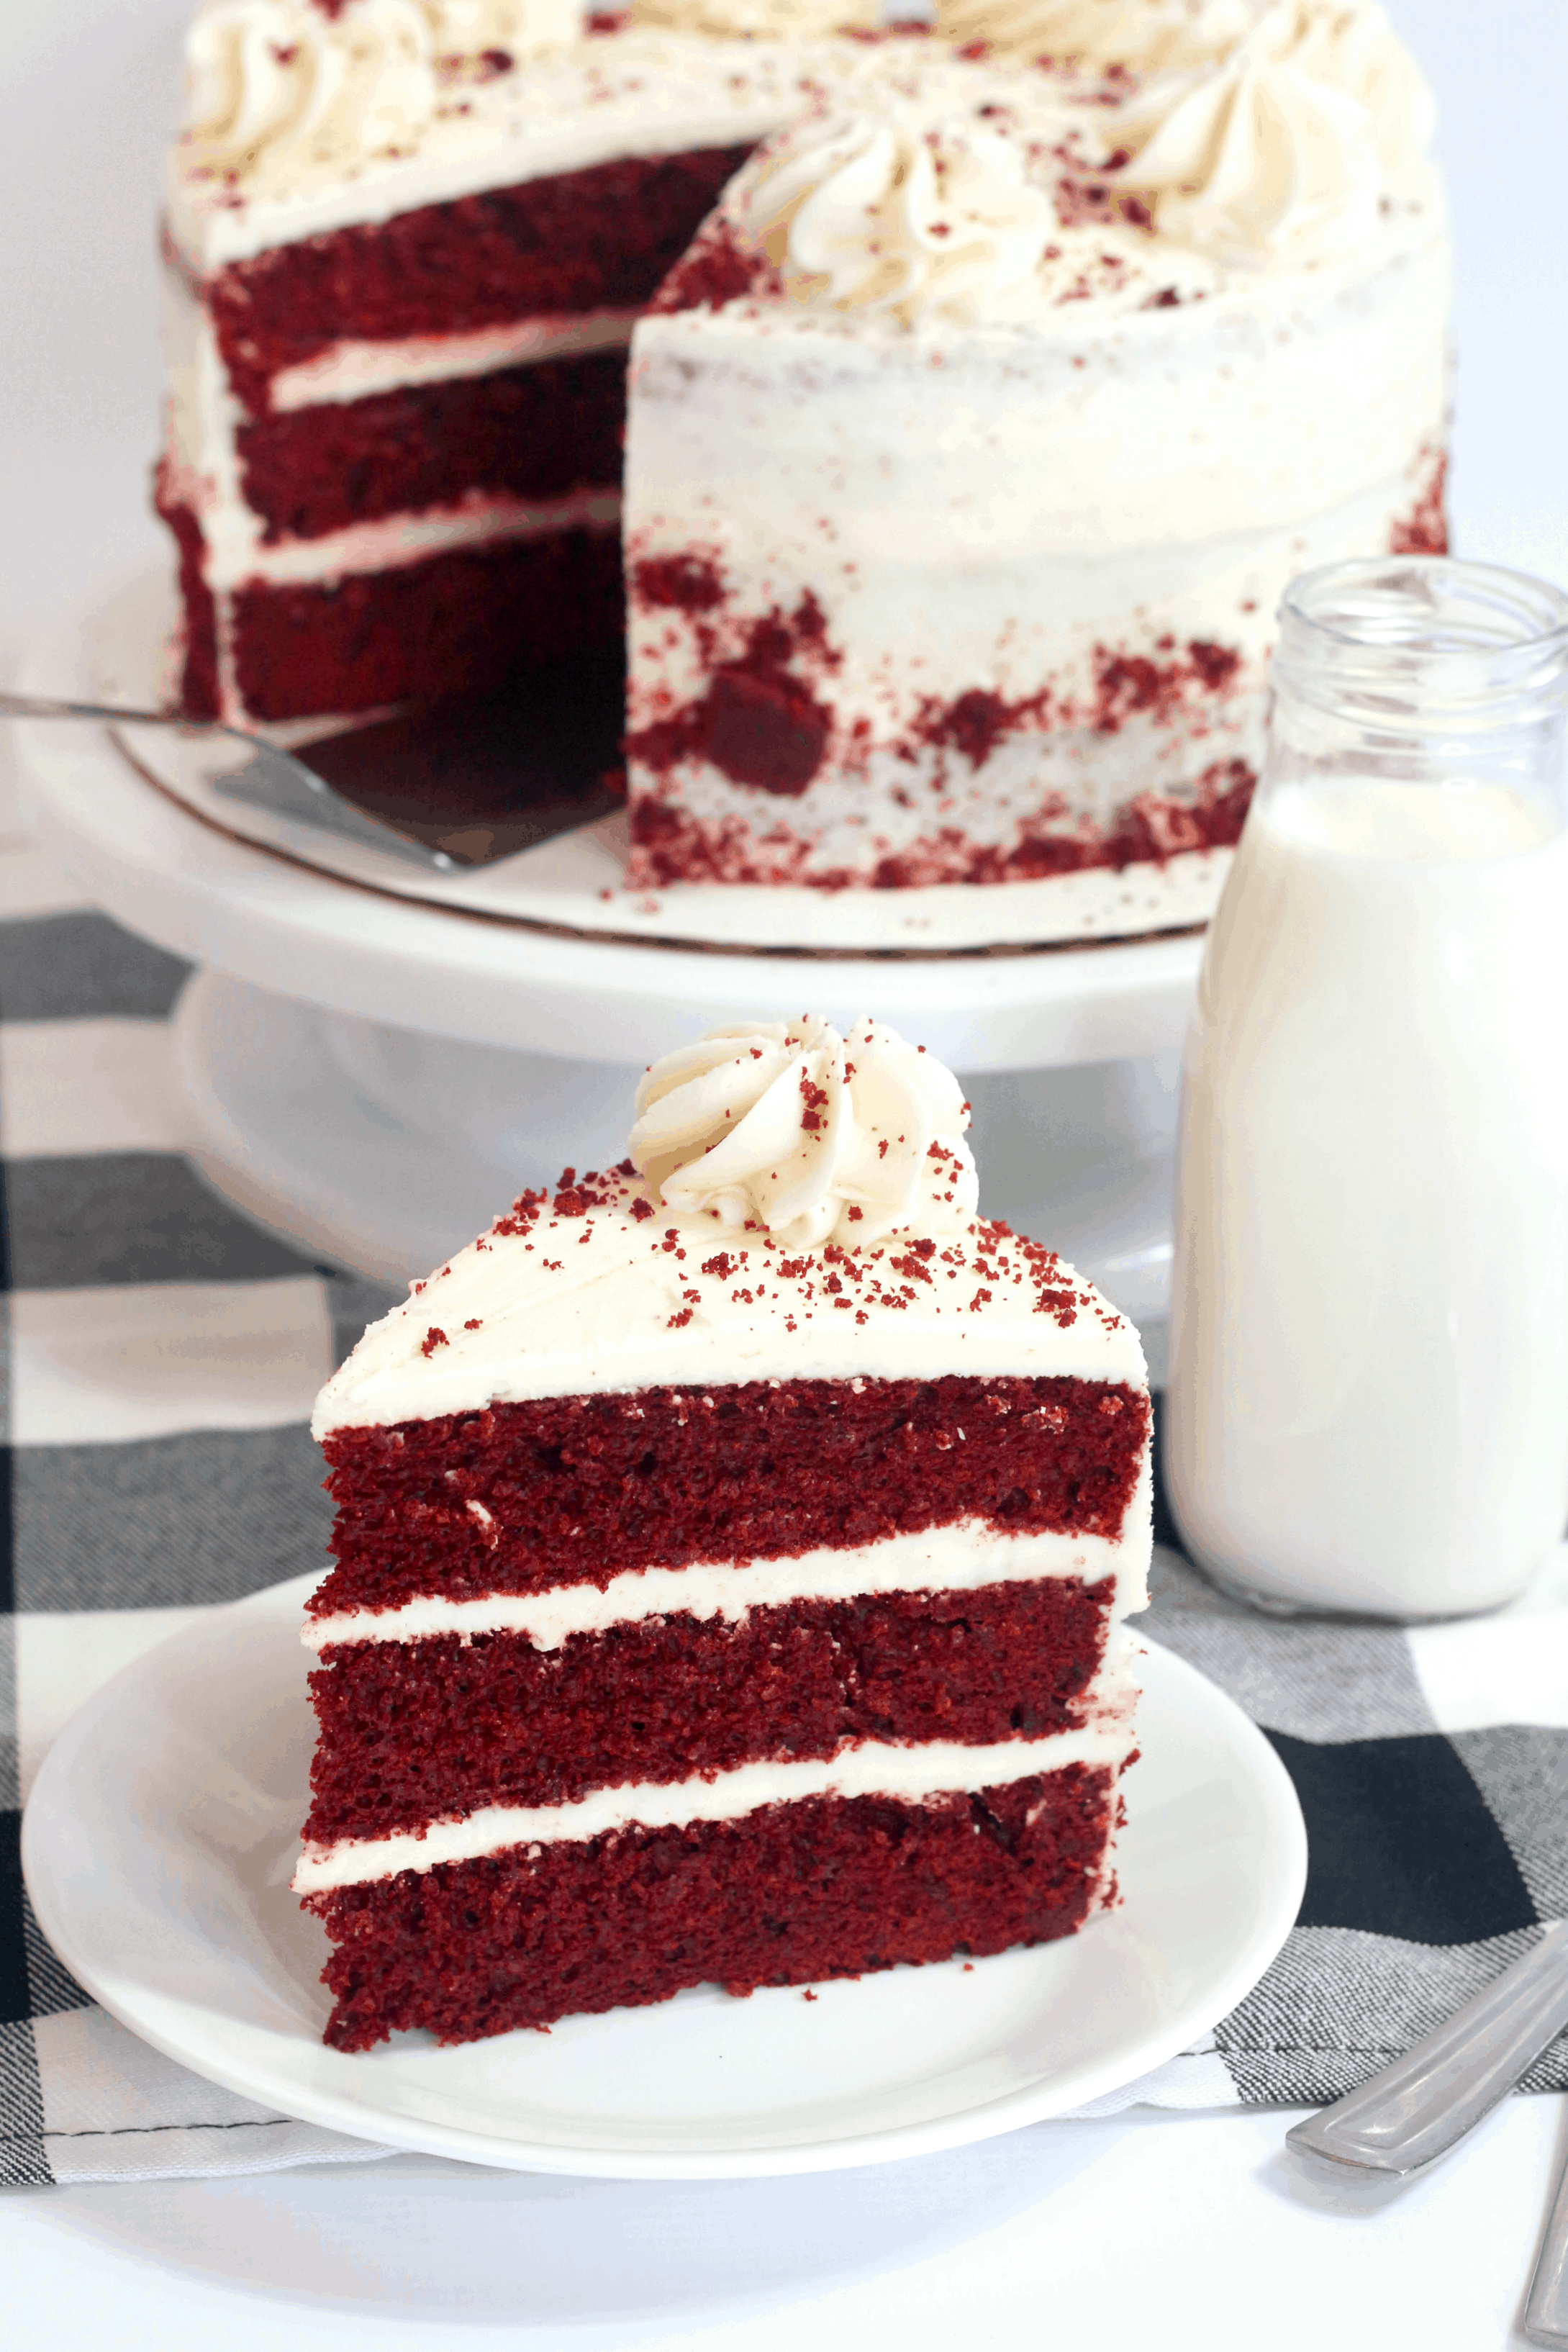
[{"x": 981, "y": 387}]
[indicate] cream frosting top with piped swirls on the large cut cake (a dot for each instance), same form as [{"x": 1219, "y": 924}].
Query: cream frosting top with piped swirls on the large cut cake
[{"x": 1249, "y": 131}]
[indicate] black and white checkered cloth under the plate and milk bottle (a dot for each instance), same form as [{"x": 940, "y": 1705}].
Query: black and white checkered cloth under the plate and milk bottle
[{"x": 161, "y": 1358}]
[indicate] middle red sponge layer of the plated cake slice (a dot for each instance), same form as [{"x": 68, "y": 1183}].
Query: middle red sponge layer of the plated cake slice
[{"x": 441, "y": 1728}]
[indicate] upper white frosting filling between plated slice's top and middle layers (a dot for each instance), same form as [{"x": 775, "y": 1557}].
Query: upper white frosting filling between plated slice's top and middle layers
[{"x": 960, "y": 1558}]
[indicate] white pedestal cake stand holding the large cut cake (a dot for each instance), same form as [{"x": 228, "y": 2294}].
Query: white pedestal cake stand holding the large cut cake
[{"x": 375, "y": 1076}]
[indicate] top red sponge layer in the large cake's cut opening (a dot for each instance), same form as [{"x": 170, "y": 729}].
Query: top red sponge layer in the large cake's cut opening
[{"x": 579, "y": 241}]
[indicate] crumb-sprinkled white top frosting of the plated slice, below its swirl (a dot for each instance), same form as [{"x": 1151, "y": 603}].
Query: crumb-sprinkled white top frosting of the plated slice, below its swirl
[{"x": 619, "y": 1302}]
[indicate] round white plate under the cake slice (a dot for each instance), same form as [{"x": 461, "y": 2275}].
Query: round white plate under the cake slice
[{"x": 159, "y": 1850}]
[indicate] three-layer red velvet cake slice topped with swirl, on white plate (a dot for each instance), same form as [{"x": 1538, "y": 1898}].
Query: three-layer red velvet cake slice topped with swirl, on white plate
[{"x": 730, "y": 1572}]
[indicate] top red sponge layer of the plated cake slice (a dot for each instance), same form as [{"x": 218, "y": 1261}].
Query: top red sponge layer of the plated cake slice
[{"x": 575, "y": 1490}]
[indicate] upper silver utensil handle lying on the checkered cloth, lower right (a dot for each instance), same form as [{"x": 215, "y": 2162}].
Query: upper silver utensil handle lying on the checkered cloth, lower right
[{"x": 1440, "y": 2090}]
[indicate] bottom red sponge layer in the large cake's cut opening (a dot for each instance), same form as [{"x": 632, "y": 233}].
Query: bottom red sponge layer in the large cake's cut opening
[{"x": 453, "y": 624}]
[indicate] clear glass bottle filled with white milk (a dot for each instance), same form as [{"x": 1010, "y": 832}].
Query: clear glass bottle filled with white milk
[{"x": 1369, "y": 1342}]
